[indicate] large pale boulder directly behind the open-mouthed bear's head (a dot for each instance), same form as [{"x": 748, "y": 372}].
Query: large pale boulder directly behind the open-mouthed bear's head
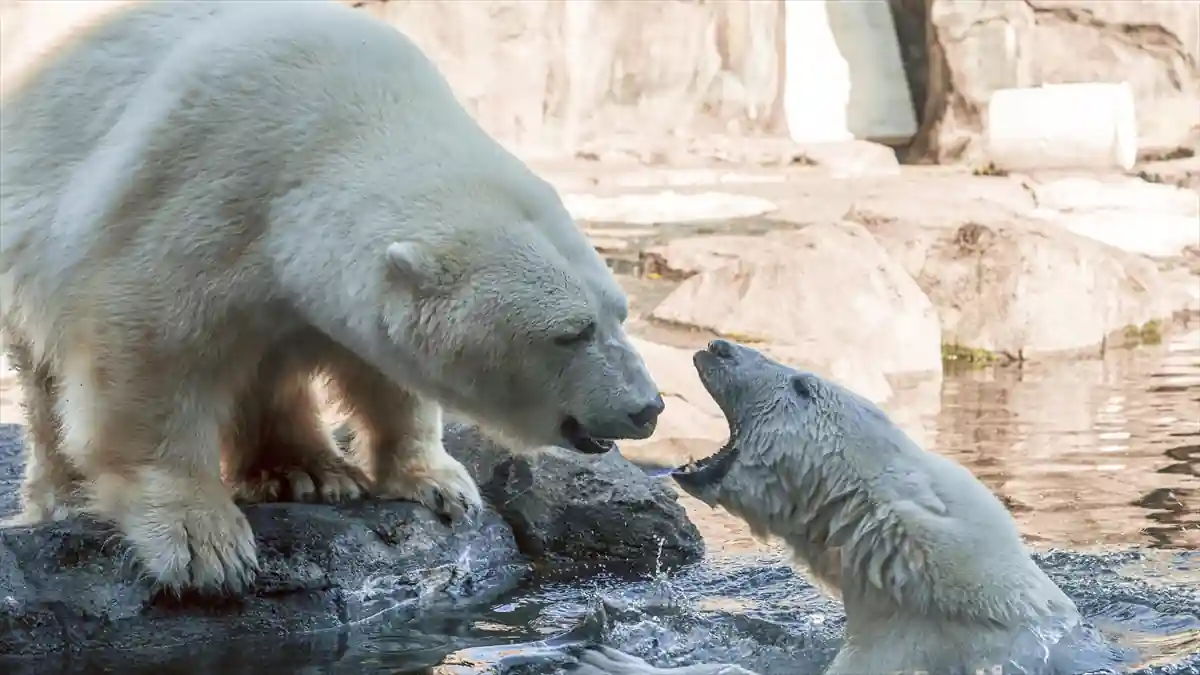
[{"x": 825, "y": 297}]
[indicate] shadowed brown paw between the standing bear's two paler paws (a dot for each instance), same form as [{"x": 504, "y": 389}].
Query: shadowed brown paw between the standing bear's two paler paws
[{"x": 328, "y": 481}]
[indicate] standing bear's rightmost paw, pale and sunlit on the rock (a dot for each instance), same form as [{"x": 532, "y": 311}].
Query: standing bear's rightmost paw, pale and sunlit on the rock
[{"x": 440, "y": 482}]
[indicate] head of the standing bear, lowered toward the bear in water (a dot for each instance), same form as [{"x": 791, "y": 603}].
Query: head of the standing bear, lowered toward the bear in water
[{"x": 520, "y": 327}]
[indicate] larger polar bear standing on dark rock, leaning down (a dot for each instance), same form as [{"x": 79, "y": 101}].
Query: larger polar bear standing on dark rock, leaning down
[{"x": 205, "y": 204}]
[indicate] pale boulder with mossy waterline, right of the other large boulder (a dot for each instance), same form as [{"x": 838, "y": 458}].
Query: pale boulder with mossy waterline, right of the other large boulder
[{"x": 1025, "y": 289}]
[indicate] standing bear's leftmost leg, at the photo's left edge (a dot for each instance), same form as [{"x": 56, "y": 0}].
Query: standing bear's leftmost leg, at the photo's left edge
[{"x": 52, "y": 488}]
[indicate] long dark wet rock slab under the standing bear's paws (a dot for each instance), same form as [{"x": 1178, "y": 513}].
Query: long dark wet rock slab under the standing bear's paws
[{"x": 71, "y": 584}]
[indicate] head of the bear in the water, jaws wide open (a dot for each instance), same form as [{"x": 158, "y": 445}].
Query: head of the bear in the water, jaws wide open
[{"x": 783, "y": 423}]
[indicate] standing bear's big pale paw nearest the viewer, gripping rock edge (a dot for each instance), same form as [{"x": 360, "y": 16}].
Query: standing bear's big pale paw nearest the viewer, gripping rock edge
[{"x": 206, "y": 547}]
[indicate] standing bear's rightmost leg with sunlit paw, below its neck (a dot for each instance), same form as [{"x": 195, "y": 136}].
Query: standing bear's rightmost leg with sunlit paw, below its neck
[{"x": 399, "y": 439}]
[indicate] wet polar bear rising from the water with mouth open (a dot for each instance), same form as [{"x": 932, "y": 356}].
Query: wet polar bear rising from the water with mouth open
[{"x": 928, "y": 563}]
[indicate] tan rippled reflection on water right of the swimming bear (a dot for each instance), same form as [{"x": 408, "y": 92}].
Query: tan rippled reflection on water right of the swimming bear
[{"x": 1088, "y": 453}]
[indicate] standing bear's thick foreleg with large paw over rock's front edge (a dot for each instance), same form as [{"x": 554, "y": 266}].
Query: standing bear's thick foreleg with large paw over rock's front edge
[{"x": 146, "y": 437}]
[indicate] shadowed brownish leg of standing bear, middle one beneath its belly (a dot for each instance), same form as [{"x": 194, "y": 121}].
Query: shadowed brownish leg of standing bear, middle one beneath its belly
[{"x": 280, "y": 450}]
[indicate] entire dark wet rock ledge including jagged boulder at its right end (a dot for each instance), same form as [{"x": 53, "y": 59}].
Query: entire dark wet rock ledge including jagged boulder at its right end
[{"x": 73, "y": 587}]
